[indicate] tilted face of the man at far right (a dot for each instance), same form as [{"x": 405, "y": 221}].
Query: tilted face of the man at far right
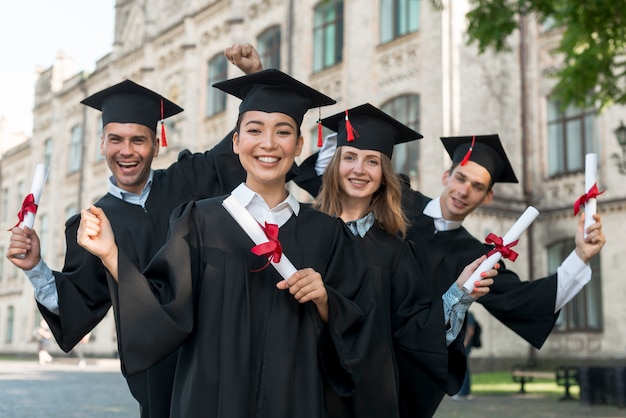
[{"x": 466, "y": 187}]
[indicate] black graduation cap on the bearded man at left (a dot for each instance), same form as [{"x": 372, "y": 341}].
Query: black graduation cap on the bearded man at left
[{"x": 128, "y": 102}]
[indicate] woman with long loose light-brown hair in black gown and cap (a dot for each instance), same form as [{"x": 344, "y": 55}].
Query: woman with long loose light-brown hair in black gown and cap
[{"x": 360, "y": 187}]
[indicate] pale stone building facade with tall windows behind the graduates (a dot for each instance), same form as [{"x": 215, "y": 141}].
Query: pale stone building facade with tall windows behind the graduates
[{"x": 403, "y": 56}]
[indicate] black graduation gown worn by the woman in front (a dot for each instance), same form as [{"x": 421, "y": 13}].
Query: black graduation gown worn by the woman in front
[{"x": 247, "y": 349}]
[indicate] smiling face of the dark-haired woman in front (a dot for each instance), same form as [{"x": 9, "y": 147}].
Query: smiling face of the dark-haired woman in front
[{"x": 267, "y": 144}]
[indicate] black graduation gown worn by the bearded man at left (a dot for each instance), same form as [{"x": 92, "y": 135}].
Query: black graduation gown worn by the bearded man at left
[{"x": 84, "y": 295}]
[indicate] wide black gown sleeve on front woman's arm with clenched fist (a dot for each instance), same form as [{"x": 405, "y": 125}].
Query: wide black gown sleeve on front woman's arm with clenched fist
[{"x": 155, "y": 316}]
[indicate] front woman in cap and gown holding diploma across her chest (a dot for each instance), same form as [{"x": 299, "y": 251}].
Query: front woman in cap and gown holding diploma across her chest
[{"x": 250, "y": 342}]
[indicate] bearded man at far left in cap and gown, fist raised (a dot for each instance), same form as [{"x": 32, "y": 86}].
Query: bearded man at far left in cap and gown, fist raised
[{"x": 139, "y": 203}]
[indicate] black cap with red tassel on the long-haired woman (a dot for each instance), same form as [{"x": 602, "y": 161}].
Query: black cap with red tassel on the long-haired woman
[{"x": 371, "y": 129}]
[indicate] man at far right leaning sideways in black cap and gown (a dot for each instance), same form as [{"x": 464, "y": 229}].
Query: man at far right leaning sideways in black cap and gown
[{"x": 529, "y": 308}]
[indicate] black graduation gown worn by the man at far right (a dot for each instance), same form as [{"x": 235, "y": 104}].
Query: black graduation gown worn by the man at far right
[{"x": 526, "y": 307}]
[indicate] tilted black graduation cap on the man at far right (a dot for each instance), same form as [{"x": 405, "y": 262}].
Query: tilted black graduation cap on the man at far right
[{"x": 485, "y": 150}]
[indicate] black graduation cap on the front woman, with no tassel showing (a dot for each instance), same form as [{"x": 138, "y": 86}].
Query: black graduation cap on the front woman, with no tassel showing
[{"x": 272, "y": 91}]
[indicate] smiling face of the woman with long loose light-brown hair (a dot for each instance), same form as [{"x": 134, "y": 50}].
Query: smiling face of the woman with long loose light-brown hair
[{"x": 360, "y": 174}]
